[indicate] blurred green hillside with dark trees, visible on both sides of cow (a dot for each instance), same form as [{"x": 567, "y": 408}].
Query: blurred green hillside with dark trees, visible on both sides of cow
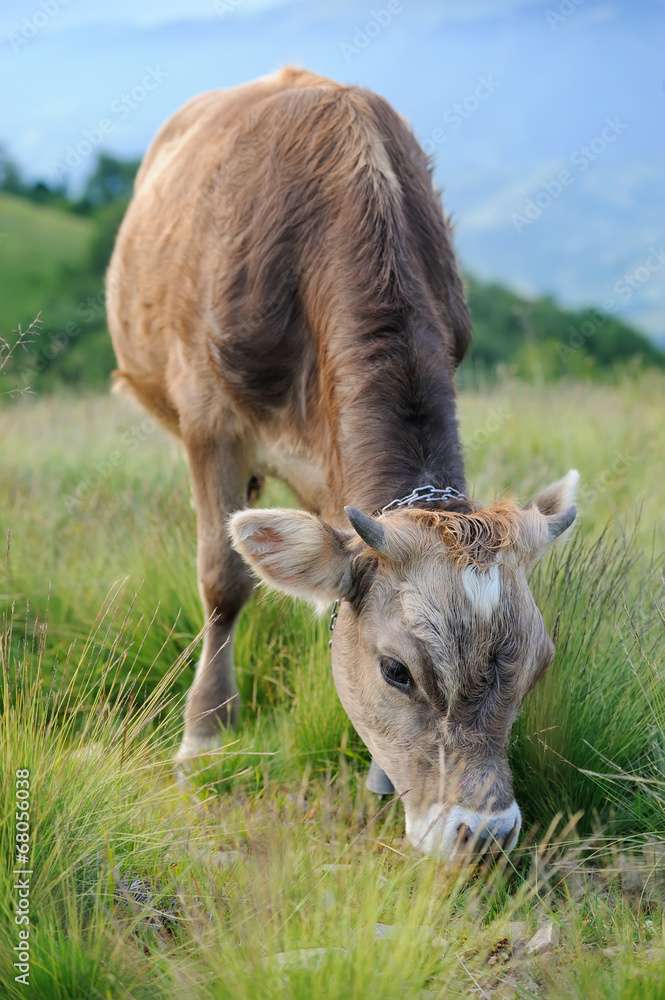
[{"x": 53, "y": 261}]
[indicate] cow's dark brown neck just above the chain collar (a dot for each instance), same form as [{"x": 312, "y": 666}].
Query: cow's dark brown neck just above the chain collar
[{"x": 397, "y": 425}]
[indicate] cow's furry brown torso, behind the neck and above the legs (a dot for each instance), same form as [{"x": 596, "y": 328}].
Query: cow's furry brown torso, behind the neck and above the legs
[{"x": 236, "y": 257}]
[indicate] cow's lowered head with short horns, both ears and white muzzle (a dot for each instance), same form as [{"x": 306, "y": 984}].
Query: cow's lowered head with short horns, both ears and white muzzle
[{"x": 437, "y": 642}]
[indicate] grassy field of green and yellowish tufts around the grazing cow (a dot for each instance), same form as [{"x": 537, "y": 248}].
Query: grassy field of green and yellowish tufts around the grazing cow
[{"x": 144, "y": 889}]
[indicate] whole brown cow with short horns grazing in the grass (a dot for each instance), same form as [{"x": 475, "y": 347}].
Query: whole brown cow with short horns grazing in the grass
[{"x": 285, "y": 296}]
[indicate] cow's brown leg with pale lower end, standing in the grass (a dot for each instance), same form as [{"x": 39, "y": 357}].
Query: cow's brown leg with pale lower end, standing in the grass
[{"x": 222, "y": 481}]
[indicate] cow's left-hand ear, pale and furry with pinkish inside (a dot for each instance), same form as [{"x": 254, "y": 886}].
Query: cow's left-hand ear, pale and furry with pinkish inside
[{"x": 294, "y": 552}]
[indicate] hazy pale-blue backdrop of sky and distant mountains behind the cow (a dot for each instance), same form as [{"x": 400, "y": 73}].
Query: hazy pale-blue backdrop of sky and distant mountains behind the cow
[{"x": 545, "y": 128}]
